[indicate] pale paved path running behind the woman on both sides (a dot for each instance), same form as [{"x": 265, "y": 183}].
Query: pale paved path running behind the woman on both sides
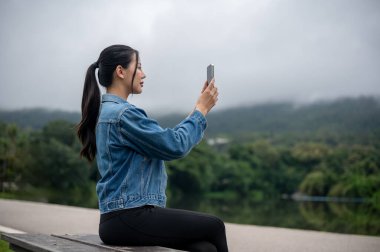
[{"x": 34, "y": 217}]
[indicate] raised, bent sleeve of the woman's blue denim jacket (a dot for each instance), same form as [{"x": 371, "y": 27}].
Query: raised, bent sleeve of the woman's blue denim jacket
[{"x": 145, "y": 136}]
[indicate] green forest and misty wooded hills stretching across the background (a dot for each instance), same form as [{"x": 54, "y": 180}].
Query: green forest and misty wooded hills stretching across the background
[{"x": 278, "y": 150}]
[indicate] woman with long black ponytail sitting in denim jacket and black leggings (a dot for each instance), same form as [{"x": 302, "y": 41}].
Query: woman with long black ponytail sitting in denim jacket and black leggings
[{"x": 130, "y": 150}]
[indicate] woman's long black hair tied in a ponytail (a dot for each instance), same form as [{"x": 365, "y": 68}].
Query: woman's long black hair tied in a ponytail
[{"x": 109, "y": 59}]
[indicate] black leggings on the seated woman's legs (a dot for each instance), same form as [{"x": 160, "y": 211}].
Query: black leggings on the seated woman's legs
[{"x": 156, "y": 226}]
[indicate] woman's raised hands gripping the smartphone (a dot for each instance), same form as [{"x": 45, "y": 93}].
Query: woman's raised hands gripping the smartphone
[{"x": 208, "y": 98}]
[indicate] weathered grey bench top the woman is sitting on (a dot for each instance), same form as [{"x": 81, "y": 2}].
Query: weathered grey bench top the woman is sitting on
[{"x": 65, "y": 243}]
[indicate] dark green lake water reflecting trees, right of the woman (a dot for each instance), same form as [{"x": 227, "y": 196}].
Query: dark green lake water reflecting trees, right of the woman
[{"x": 349, "y": 218}]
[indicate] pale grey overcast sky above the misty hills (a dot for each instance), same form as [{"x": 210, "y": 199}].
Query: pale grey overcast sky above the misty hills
[{"x": 263, "y": 51}]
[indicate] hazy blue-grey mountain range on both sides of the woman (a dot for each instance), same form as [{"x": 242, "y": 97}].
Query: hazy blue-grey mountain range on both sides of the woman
[{"x": 343, "y": 115}]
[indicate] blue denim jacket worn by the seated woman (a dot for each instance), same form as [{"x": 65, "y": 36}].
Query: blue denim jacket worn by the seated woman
[{"x": 131, "y": 149}]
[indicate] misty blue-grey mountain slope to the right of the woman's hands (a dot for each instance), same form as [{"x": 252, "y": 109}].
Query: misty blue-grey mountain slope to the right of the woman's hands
[{"x": 348, "y": 114}]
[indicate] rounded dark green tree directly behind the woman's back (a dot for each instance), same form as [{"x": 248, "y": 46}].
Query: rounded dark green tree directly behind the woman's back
[{"x": 56, "y": 171}]
